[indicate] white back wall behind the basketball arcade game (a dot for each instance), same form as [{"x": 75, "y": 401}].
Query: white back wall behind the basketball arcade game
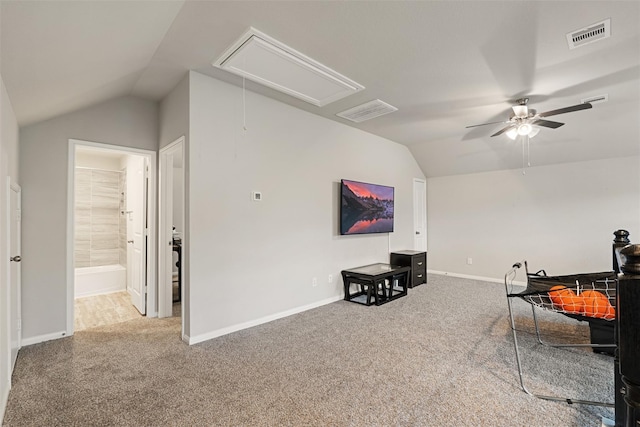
[{"x": 560, "y": 218}]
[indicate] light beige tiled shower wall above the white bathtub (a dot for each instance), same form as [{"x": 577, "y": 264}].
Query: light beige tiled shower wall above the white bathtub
[{"x": 99, "y": 195}]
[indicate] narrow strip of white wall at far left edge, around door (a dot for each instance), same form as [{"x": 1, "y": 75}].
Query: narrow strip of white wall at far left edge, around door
[{"x": 8, "y": 171}]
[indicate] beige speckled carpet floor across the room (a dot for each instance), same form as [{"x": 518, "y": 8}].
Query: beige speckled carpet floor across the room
[{"x": 442, "y": 356}]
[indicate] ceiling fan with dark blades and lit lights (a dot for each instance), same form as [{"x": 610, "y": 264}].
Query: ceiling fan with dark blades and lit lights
[{"x": 524, "y": 119}]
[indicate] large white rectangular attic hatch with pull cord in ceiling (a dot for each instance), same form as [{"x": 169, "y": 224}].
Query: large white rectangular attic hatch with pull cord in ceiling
[{"x": 267, "y": 61}]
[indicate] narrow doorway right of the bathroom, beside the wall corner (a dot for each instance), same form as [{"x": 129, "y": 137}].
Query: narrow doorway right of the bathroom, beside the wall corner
[{"x": 171, "y": 292}]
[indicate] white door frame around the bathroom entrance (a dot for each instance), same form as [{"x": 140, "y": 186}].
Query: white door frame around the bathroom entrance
[{"x": 152, "y": 283}]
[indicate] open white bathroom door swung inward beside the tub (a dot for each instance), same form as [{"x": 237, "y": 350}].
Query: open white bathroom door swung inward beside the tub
[{"x": 136, "y": 231}]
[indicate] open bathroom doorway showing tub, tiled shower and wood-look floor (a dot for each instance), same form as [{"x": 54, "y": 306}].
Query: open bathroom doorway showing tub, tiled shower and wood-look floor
[{"x": 111, "y": 222}]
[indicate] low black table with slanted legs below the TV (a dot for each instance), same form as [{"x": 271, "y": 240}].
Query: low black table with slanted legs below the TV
[{"x": 377, "y": 283}]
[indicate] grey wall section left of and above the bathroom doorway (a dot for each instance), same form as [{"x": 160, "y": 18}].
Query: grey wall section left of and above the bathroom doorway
[{"x": 127, "y": 121}]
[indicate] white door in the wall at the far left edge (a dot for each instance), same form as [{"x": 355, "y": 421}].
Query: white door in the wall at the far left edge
[{"x": 14, "y": 271}]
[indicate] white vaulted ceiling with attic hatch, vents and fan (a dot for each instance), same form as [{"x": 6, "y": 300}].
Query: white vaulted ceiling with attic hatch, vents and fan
[{"x": 444, "y": 64}]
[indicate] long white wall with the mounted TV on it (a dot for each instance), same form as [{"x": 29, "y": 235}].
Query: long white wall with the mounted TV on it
[{"x": 251, "y": 261}]
